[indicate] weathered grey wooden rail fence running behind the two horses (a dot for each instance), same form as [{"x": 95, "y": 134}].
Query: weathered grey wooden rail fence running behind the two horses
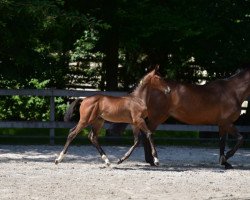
[{"x": 52, "y": 124}]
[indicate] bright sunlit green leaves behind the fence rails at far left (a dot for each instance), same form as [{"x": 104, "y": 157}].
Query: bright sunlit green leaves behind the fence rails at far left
[{"x": 30, "y": 107}]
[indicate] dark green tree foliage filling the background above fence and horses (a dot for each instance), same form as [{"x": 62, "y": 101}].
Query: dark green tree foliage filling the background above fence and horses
[{"x": 40, "y": 38}]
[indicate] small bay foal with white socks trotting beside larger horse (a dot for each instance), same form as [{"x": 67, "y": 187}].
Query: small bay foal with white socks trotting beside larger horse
[{"x": 94, "y": 110}]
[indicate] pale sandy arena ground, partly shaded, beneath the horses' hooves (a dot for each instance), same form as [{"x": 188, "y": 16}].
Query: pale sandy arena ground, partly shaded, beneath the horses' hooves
[{"x": 29, "y": 172}]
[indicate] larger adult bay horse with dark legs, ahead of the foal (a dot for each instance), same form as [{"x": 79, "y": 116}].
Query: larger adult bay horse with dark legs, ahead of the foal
[{"x": 216, "y": 103}]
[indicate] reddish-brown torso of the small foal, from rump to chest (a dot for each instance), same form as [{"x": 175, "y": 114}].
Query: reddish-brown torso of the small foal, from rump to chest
[{"x": 110, "y": 108}]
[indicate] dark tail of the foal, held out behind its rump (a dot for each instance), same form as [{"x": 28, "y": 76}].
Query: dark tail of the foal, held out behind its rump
[{"x": 72, "y": 113}]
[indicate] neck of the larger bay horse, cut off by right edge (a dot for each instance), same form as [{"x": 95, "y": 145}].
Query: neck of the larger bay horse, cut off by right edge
[{"x": 241, "y": 83}]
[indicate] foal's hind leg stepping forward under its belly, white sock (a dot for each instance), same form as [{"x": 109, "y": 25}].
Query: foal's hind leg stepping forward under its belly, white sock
[{"x": 93, "y": 137}]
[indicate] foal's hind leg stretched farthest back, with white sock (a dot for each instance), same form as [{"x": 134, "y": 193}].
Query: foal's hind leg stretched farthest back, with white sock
[{"x": 72, "y": 134}]
